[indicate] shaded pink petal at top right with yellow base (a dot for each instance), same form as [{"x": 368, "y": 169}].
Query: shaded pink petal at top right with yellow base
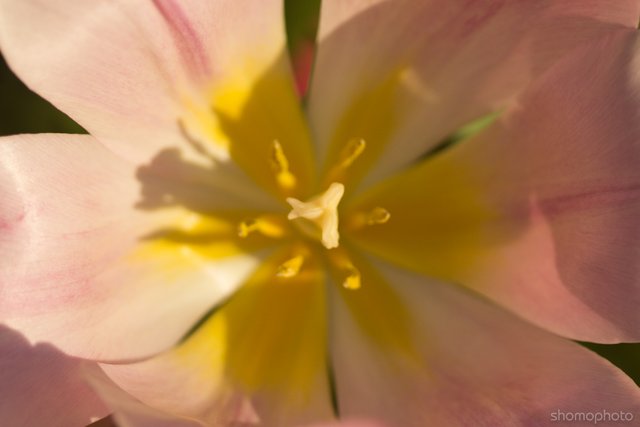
[{"x": 405, "y": 75}]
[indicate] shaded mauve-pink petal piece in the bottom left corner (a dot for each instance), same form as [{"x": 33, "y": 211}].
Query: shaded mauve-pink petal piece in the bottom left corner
[{"x": 40, "y": 386}]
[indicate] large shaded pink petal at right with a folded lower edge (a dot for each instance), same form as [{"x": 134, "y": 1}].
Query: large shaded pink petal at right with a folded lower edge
[{"x": 556, "y": 184}]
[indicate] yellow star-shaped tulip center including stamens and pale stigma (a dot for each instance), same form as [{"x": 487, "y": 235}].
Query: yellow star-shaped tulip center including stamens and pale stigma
[{"x": 312, "y": 237}]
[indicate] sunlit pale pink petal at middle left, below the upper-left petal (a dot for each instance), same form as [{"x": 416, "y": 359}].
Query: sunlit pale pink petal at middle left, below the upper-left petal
[{"x": 77, "y": 275}]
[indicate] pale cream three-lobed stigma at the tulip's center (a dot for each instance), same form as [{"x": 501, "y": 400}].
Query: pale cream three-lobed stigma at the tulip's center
[{"x": 322, "y": 211}]
